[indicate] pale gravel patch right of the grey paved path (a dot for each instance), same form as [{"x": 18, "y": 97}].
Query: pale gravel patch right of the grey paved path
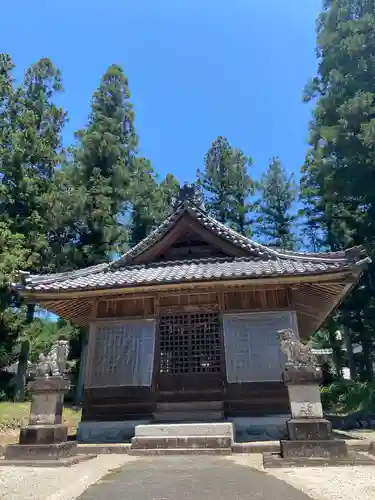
[{"x": 322, "y": 483}]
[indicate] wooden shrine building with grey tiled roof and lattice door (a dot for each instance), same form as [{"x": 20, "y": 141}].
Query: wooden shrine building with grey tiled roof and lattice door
[{"x": 183, "y": 326}]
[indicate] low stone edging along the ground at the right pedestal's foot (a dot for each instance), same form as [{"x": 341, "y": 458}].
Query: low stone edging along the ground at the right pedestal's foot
[{"x": 275, "y": 460}]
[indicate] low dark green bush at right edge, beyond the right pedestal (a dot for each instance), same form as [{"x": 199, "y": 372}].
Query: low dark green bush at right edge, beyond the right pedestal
[{"x": 347, "y": 396}]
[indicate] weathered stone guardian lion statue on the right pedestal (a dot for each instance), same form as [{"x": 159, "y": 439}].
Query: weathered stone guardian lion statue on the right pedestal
[{"x": 297, "y": 354}]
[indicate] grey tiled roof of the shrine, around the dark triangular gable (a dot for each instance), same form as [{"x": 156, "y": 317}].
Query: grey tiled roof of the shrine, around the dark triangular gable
[{"x": 261, "y": 261}]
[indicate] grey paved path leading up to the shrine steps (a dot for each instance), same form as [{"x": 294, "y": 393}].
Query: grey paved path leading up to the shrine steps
[{"x": 190, "y": 478}]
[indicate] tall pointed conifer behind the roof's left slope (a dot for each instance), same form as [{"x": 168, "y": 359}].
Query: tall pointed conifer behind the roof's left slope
[{"x": 104, "y": 164}]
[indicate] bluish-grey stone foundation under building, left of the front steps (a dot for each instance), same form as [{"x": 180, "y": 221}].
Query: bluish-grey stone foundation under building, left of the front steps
[{"x": 108, "y": 432}]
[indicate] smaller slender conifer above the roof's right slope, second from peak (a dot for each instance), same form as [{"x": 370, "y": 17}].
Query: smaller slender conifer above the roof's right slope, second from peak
[{"x": 276, "y": 219}]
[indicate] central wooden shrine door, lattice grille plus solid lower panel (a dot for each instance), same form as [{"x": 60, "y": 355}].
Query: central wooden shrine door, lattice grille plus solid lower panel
[{"x": 190, "y": 353}]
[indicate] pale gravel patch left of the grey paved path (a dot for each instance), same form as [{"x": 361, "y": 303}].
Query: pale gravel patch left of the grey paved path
[{"x": 33, "y": 483}]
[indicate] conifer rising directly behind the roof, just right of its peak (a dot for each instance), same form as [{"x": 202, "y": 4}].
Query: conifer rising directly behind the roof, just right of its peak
[{"x": 226, "y": 184}]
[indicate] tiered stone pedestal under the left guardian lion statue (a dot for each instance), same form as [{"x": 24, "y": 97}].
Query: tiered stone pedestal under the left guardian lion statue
[{"x": 44, "y": 440}]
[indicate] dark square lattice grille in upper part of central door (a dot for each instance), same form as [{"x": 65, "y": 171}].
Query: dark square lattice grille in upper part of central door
[{"x": 190, "y": 343}]
